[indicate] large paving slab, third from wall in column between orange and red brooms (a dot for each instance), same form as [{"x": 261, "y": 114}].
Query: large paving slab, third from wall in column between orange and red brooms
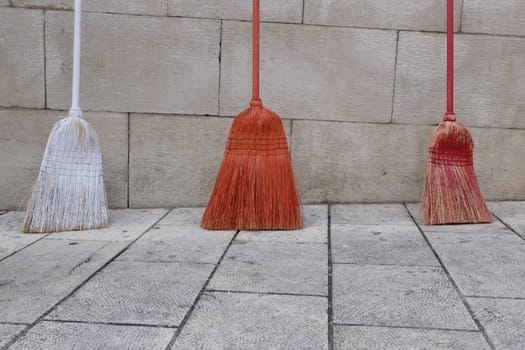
[{"x": 397, "y": 296}]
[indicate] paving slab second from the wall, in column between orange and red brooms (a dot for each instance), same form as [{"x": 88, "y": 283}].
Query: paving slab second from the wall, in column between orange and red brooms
[{"x": 380, "y": 245}]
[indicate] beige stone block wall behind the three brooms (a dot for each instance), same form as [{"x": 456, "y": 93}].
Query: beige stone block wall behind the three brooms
[{"x": 359, "y": 84}]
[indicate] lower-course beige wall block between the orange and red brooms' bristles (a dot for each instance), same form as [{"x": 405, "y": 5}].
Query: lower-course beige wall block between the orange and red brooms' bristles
[{"x": 349, "y": 162}]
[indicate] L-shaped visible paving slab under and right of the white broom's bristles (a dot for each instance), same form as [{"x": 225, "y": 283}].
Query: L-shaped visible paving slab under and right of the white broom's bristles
[{"x": 125, "y": 225}]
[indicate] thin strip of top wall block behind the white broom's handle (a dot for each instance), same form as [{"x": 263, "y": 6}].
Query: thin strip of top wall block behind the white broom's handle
[{"x": 140, "y": 7}]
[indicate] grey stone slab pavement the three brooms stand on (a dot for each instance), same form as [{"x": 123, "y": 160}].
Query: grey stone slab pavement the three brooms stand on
[{"x": 357, "y": 277}]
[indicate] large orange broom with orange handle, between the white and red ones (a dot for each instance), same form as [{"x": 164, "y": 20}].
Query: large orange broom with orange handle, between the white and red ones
[{"x": 255, "y": 187}]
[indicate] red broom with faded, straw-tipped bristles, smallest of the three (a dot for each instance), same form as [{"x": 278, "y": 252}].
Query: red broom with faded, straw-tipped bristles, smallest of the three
[{"x": 451, "y": 193}]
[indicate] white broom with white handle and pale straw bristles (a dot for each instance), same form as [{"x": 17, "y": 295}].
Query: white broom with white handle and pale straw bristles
[{"x": 69, "y": 193}]
